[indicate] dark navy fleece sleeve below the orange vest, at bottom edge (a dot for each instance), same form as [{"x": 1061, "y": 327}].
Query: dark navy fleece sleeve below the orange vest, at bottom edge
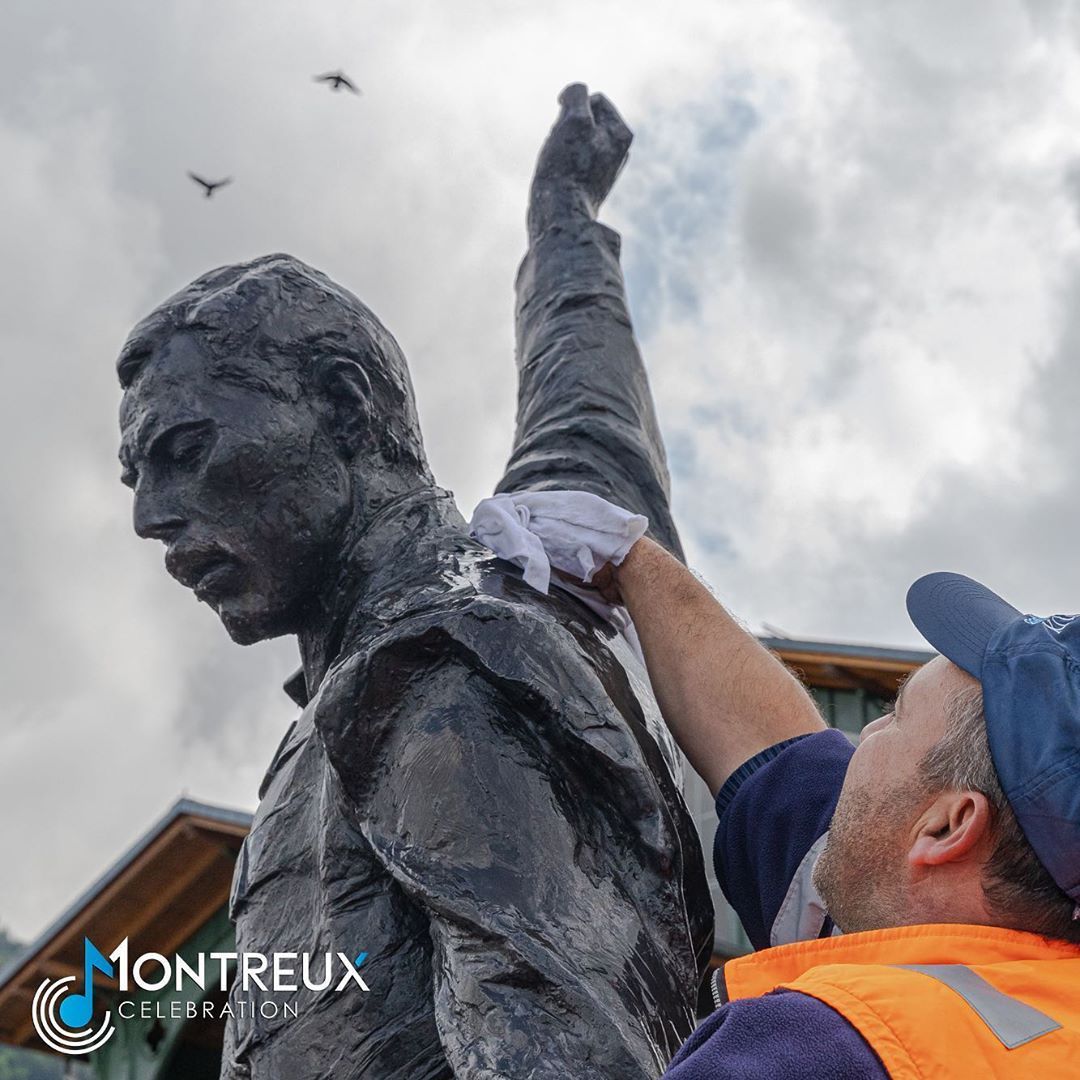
[{"x": 781, "y": 1036}]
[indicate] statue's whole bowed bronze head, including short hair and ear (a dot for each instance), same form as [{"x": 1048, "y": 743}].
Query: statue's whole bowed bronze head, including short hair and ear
[{"x": 263, "y": 407}]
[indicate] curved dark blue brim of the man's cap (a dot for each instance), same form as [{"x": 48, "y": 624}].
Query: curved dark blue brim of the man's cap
[{"x": 958, "y": 617}]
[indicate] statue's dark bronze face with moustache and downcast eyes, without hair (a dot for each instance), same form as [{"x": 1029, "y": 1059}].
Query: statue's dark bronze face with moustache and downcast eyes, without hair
[{"x": 249, "y": 494}]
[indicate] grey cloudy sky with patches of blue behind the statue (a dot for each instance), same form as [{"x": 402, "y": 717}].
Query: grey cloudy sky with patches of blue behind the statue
[{"x": 853, "y": 245}]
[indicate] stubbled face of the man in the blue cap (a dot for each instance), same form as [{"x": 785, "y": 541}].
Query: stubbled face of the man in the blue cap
[{"x": 863, "y": 873}]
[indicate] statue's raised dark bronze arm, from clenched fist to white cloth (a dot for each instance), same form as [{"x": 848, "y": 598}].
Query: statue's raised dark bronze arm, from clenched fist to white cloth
[{"x": 585, "y": 411}]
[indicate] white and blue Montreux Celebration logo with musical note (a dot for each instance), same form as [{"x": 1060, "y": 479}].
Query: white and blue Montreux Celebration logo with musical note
[{"x": 65, "y": 1019}]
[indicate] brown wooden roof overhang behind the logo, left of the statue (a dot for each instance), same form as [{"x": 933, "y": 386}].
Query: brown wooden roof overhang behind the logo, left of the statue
[{"x": 158, "y": 895}]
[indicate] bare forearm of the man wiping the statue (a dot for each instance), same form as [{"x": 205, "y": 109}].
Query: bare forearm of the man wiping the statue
[{"x": 724, "y": 696}]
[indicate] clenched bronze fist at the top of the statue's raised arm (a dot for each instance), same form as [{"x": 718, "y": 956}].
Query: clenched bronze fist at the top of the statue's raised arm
[{"x": 579, "y": 161}]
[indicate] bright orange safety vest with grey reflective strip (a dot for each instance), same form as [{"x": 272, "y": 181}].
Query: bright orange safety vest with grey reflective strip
[{"x": 949, "y": 1001}]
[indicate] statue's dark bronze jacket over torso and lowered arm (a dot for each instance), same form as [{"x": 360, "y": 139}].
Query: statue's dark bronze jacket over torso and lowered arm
[{"x": 482, "y": 796}]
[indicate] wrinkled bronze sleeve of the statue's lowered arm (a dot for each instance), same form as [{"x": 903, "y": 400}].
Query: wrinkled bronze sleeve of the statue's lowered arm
[{"x": 541, "y": 956}]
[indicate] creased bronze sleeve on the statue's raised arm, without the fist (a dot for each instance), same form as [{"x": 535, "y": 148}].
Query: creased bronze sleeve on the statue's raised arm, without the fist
[{"x": 586, "y": 417}]
